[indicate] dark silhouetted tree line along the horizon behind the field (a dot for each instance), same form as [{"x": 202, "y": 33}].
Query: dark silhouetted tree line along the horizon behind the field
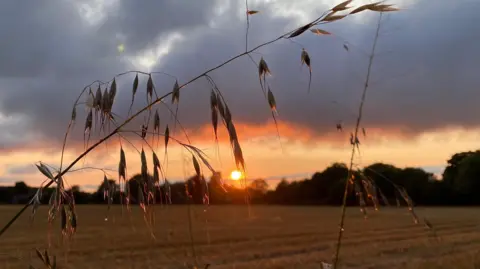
[{"x": 381, "y": 182}]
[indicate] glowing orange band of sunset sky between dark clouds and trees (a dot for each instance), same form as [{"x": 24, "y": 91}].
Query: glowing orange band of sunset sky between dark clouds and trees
[{"x": 298, "y": 152}]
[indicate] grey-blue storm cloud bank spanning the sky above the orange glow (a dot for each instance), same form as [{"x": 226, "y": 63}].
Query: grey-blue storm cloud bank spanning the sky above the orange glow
[{"x": 424, "y": 76}]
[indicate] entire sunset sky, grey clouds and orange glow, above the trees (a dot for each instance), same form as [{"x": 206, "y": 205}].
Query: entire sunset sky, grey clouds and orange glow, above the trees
[{"x": 421, "y": 104}]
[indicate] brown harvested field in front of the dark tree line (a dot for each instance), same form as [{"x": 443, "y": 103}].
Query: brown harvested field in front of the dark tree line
[{"x": 225, "y": 237}]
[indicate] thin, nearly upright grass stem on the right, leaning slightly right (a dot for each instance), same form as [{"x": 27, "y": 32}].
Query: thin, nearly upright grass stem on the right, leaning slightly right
[{"x": 357, "y": 125}]
